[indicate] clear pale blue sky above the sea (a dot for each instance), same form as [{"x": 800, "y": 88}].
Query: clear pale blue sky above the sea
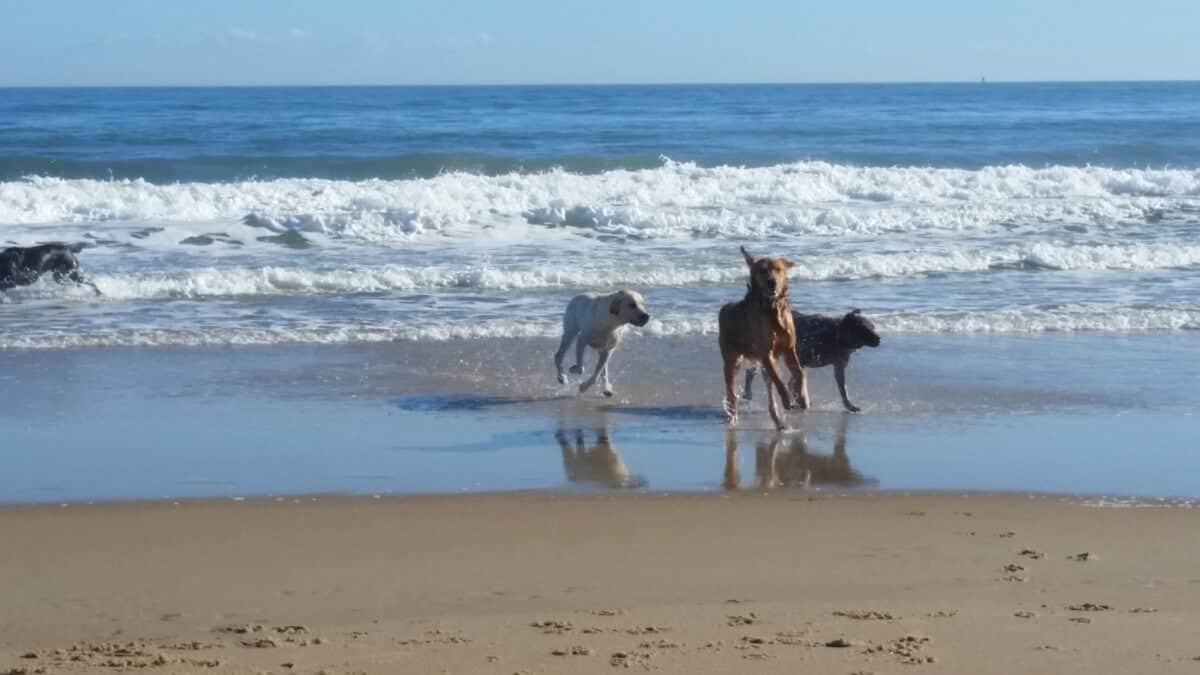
[{"x": 193, "y": 43}]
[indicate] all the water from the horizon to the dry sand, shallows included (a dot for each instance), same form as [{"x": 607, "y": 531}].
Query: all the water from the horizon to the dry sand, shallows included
[{"x": 359, "y": 290}]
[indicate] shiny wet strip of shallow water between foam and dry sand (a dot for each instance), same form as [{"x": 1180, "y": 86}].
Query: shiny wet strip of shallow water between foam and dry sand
[{"x": 1057, "y": 414}]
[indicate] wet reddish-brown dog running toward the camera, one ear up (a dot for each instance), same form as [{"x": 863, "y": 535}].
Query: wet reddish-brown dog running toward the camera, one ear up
[{"x": 760, "y": 328}]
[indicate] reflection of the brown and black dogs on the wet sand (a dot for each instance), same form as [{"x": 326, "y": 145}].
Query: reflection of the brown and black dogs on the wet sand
[{"x": 795, "y": 467}]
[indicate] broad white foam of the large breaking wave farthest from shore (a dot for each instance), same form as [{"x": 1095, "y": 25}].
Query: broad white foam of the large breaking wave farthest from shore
[{"x": 676, "y": 200}]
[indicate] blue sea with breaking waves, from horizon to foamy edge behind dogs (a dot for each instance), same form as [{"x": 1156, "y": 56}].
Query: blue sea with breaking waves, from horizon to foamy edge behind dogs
[{"x": 266, "y": 216}]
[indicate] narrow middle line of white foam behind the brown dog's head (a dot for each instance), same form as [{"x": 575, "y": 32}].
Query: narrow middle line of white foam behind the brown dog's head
[{"x": 279, "y": 280}]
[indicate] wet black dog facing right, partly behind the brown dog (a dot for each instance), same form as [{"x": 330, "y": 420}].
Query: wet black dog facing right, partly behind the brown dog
[{"x": 825, "y": 341}]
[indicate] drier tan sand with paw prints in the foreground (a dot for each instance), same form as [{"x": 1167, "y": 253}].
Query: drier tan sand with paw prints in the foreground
[{"x": 539, "y": 583}]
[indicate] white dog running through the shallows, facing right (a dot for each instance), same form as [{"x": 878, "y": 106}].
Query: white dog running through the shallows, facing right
[{"x": 598, "y": 321}]
